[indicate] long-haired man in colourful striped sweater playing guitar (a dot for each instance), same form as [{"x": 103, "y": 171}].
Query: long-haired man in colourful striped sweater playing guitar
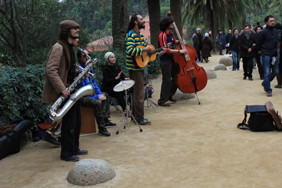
[{"x": 134, "y": 38}]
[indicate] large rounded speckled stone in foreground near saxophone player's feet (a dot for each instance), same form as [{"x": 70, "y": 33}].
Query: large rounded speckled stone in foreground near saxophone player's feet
[{"x": 90, "y": 172}]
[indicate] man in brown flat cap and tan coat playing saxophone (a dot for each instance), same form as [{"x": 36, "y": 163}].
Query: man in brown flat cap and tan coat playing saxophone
[{"x": 60, "y": 72}]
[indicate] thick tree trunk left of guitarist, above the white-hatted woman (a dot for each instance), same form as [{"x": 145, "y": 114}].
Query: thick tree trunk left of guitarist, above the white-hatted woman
[{"x": 120, "y": 21}]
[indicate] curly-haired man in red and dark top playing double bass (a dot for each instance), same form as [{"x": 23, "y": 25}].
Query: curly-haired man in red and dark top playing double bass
[{"x": 168, "y": 67}]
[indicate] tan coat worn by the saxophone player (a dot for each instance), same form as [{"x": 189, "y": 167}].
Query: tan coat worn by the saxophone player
[{"x": 56, "y": 72}]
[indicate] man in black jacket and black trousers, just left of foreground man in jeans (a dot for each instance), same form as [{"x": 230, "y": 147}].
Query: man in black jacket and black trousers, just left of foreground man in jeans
[{"x": 247, "y": 43}]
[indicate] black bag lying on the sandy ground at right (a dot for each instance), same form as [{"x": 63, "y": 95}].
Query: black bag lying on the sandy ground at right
[{"x": 259, "y": 120}]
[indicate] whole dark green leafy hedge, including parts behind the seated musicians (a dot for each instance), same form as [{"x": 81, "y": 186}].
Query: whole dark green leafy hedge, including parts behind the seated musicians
[{"x": 21, "y": 88}]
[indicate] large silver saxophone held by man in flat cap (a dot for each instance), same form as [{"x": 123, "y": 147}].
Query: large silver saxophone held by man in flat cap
[{"x": 57, "y": 110}]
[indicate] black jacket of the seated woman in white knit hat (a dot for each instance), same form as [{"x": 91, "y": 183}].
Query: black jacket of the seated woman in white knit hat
[{"x": 109, "y": 74}]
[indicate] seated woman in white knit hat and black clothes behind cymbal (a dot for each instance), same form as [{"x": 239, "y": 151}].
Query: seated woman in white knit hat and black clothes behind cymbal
[{"x": 112, "y": 75}]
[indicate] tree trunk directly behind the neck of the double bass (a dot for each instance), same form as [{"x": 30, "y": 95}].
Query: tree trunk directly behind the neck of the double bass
[{"x": 175, "y": 8}]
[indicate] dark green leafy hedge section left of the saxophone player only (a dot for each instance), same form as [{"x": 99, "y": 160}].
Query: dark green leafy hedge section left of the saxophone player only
[{"x": 21, "y": 92}]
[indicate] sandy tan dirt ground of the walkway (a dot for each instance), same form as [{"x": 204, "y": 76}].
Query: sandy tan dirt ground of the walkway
[{"x": 187, "y": 145}]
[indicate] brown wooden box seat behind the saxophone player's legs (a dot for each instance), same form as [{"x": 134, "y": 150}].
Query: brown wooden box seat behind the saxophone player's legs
[{"x": 88, "y": 121}]
